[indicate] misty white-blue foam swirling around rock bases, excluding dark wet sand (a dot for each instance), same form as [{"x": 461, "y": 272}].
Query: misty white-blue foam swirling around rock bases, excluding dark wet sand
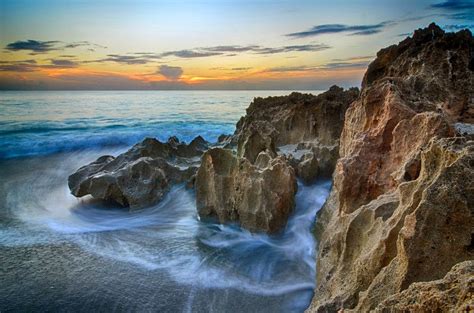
[{"x": 169, "y": 236}]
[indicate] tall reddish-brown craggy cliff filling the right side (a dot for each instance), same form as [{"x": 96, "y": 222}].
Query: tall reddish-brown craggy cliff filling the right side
[{"x": 402, "y": 207}]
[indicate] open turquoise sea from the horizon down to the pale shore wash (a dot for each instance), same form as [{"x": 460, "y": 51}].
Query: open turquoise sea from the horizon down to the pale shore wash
[{"x": 42, "y": 122}]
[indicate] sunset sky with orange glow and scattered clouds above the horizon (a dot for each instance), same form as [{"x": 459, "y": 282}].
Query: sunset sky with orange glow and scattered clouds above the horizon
[{"x": 211, "y": 44}]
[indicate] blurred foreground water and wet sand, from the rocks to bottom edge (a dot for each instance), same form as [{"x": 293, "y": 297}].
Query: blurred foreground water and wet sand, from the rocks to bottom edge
[{"x": 64, "y": 254}]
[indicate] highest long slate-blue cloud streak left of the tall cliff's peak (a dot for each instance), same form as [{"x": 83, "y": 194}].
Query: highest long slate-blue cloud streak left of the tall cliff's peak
[{"x": 361, "y": 30}]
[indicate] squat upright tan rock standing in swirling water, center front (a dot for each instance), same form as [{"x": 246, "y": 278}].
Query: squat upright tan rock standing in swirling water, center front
[{"x": 259, "y": 196}]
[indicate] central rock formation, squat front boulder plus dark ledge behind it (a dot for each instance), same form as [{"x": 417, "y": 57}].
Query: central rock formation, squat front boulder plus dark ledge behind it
[{"x": 256, "y": 187}]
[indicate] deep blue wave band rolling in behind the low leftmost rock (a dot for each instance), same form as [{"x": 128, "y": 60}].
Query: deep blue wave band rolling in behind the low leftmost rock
[{"x": 34, "y": 140}]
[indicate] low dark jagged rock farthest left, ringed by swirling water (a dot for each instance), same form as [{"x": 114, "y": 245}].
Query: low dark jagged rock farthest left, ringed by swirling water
[{"x": 141, "y": 176}]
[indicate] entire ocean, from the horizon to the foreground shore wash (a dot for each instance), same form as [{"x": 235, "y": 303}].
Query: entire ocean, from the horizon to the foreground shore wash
[{"x": 60, "y": 254}]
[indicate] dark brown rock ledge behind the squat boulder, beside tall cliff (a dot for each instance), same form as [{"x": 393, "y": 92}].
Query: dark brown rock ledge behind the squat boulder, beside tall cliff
[{"x": 276, "y": 123}]
